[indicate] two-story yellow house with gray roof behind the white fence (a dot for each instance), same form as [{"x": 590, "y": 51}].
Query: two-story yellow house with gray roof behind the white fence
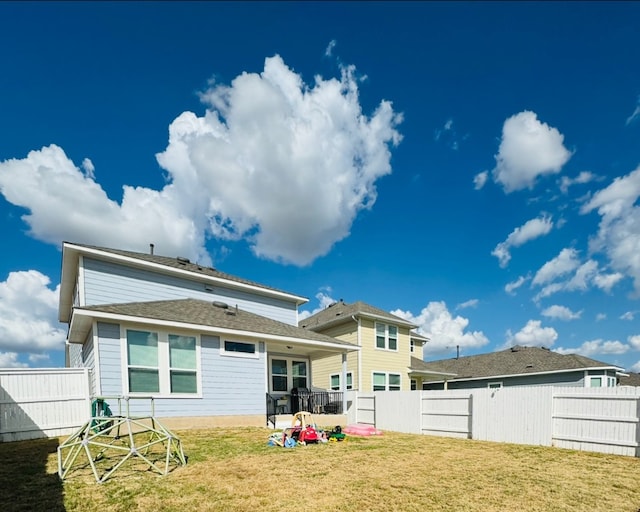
[{"x": 384, "y": 361}]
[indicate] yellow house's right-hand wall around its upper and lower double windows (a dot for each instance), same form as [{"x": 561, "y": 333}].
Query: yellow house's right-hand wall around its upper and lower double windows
[{"x": 378, "y": 360}]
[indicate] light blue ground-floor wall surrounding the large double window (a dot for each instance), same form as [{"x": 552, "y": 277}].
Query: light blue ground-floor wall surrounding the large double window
[{"x": 231, "y": 386}]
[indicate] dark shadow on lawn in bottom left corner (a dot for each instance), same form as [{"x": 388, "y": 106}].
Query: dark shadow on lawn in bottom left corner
[{"x": 26, "y": 482}]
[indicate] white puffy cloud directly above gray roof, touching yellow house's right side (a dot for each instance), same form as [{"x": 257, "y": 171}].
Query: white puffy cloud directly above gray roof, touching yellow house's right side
[{"x": 444, "y": 331}]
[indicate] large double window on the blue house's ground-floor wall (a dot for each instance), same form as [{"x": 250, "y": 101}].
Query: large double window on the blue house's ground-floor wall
[{"x": 161, "y": 363}]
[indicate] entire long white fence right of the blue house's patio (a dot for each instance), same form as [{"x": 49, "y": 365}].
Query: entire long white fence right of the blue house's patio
[{"x": 605, "y": 420}]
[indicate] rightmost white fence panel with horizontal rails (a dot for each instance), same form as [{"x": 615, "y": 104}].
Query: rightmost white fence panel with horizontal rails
[{"x": 603, "y": 420}]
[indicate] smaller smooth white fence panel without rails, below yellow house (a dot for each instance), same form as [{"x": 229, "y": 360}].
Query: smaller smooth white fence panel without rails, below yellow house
[{"x": 398, "y": 411}]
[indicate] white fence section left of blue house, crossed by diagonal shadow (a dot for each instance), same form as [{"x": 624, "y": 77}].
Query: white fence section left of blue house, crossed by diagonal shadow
[{"x": 42, "y": 402}]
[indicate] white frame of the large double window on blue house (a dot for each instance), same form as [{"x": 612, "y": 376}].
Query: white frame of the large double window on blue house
[{"x": 164, "y": 367}]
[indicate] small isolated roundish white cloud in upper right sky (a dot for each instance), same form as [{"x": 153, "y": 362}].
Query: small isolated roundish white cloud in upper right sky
[{"x": 529, "y": 149}]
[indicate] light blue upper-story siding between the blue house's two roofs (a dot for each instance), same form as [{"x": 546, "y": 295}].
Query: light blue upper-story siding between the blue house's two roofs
[{"x": 109, "y": 283}]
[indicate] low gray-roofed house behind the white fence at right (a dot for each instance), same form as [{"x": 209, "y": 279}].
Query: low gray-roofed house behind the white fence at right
[{"x": 518, "y": 366}]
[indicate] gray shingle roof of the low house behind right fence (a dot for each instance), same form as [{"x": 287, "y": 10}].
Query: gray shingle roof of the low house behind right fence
[{"x": 513, "y": 361}]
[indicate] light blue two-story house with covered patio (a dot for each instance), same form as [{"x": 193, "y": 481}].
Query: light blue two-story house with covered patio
[{"x": 211, "y": 348}]
